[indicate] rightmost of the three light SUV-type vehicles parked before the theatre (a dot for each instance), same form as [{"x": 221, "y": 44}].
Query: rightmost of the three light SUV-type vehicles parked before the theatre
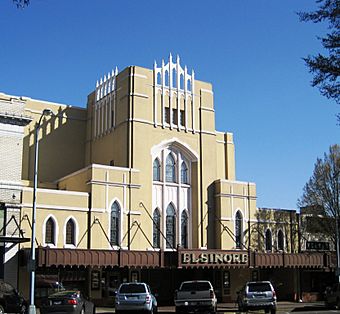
[{"x": 257, "y": 295}]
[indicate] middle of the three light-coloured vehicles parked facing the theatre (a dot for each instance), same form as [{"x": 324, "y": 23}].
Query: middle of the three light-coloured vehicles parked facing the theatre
[{"x": 195, "y": 296}]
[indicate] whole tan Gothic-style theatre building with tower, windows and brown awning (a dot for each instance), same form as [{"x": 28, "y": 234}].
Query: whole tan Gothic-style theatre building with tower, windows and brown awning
[{"x": 139, "y": 185}]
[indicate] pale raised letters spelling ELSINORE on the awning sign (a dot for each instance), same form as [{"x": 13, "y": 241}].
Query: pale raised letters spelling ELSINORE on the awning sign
[{"x": 214, "y": 258}]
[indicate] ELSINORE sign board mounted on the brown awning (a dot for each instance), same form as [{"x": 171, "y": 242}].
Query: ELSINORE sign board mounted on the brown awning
[{"x": 212, "y": 258}]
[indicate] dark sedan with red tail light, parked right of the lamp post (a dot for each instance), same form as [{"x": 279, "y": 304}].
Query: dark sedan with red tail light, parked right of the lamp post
[{"x": 67, "y": 301}]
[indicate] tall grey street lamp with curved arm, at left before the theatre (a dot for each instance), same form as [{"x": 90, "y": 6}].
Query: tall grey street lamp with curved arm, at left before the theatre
[{"x": 45, "y": 112}]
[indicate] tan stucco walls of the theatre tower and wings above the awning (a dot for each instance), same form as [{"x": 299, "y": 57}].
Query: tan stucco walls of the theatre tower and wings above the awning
[{"x": 89, "y": 158}]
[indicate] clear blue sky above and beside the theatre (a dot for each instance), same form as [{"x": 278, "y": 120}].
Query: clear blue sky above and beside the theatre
[{"x": 251, "y": 51}]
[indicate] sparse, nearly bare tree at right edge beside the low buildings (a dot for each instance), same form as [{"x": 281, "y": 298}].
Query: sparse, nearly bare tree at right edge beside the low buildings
[{"x": 321, "y": 194}]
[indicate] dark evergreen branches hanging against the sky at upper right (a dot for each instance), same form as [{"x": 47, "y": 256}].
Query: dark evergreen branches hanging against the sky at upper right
[{"x": 326, "y": 68}]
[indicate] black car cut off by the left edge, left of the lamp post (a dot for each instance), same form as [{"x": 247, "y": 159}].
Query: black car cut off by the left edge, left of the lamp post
[{"x": 11, "y": 301}]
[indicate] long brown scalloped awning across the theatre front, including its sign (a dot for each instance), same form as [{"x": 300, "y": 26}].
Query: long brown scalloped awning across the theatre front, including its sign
[{"x": 182, "y": 258}]
